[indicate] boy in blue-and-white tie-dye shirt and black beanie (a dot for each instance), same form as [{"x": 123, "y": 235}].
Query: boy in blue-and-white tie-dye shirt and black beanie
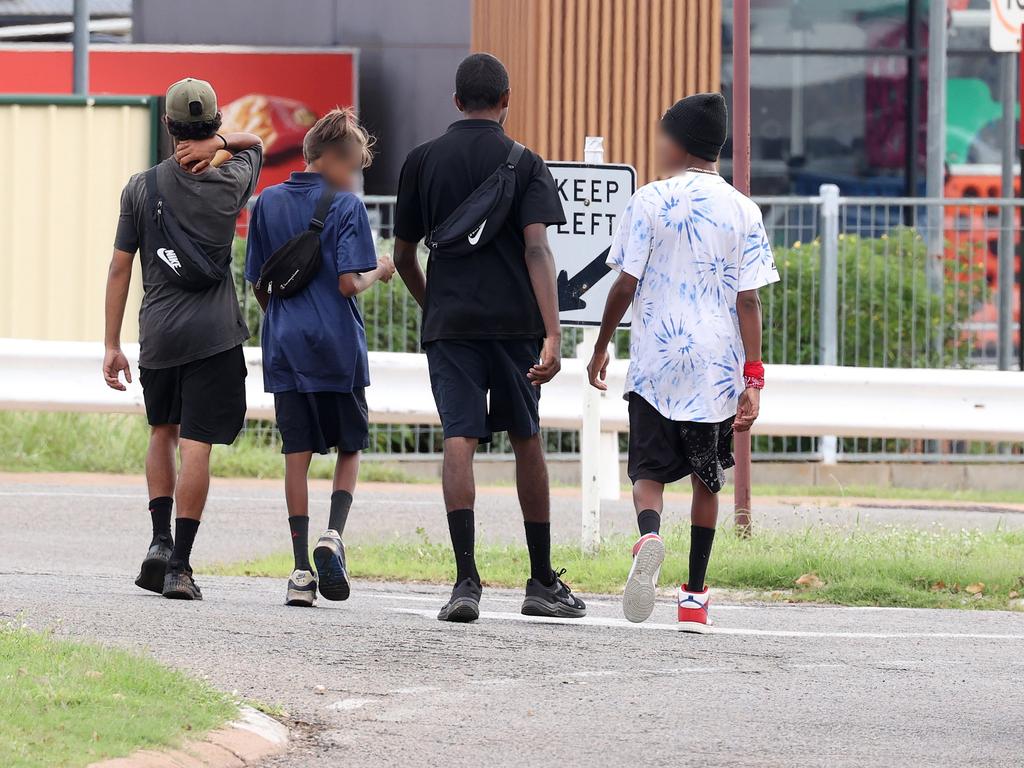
[{"x": 692, "y": 253}]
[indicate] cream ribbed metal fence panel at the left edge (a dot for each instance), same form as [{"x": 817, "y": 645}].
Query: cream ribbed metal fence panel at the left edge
[{"x": 60, "y": 201}]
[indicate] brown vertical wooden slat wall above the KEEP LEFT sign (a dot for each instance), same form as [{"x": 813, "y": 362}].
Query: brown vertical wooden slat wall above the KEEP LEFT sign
[{"x": 606, "y": 68}]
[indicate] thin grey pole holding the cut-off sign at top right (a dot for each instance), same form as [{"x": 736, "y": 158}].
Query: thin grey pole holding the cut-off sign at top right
[{"x": 1008, "y": 82}]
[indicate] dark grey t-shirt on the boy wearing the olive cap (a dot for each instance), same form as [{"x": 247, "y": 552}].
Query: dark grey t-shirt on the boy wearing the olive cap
[{"x": 179, "y": 326}]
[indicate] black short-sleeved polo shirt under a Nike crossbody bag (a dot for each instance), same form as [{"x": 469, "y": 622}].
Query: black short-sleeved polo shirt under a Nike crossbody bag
[{"x": 488, "y": 295}]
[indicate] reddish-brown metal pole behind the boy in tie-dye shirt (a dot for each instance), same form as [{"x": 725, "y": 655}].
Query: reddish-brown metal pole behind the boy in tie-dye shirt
[{"x": 742, "y": 181}]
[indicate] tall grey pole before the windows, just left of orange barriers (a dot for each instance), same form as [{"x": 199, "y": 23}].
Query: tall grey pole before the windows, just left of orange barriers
[{"x": 936, "y": 144}]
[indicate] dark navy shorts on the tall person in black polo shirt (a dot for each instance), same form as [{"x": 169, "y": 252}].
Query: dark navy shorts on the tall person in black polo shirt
[{"x": 463, "y": 374}]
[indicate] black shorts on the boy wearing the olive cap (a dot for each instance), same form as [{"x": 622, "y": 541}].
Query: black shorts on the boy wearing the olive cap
[{"x": 206, "y": 397}]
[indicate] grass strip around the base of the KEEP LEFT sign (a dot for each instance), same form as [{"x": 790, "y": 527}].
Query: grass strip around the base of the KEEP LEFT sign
[{"x": 889, "y": 567}]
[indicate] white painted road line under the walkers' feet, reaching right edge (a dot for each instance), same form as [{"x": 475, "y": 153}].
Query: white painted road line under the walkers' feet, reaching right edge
[{"x": 623, "y": 624}]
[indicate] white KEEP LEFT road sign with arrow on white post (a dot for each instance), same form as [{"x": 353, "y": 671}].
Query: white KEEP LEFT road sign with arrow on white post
[{"x": 594, "y": 196}]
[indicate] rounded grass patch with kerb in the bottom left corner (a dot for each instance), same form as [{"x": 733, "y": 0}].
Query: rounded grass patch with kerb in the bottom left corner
[{"x": 69, "y": 704}]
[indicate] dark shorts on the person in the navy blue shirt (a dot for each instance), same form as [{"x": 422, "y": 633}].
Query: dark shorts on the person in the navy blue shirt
[{"x": 321, "y": 421}]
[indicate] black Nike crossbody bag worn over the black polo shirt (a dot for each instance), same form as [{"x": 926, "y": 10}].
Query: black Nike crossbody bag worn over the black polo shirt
[{"x": 480, "y": 217}]
